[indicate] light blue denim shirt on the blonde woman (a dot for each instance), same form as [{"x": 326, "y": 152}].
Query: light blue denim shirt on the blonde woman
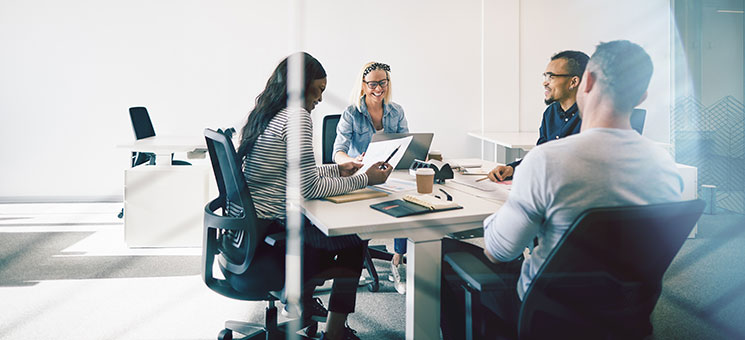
[{"x": 355, "y": 128}]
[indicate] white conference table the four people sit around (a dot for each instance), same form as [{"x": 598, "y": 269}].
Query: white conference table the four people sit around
[{"x": 424, "y": 233}]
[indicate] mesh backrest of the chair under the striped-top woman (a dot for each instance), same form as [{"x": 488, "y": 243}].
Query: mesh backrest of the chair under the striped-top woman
[{"x": 241, "y": 231}]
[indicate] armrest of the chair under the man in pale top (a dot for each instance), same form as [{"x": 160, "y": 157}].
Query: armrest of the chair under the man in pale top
[{"x": 474, "y": 272}]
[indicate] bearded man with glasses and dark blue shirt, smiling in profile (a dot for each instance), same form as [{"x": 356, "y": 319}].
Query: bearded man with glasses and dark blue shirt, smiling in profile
[{"x": 560, "y": 80}]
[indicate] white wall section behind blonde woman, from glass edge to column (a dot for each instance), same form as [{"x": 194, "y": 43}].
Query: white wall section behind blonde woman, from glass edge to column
[{"x": 433, "y": 52}]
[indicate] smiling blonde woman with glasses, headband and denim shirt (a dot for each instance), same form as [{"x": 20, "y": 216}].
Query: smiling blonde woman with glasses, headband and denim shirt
[{"x": 371, "y": 111}]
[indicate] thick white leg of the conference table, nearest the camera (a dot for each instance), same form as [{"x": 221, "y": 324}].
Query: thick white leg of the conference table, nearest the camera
[{"x": 423, "y": 290}]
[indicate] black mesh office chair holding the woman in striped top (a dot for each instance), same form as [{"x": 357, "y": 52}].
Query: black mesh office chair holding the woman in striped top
[{"x": 251, "y": 261}]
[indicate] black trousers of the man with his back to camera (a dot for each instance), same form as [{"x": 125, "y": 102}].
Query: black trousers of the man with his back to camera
[{"x": 499, "y": 309}]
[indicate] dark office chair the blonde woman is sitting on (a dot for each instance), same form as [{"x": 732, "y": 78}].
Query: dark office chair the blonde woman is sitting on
[{"x": 374, "y": 252}]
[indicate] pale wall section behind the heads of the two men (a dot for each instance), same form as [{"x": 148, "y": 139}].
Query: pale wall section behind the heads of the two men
[{"x": 550, "y": 26}]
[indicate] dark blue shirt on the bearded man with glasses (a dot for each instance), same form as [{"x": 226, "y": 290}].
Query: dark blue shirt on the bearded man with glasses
[{"x": 556, "y": 124}]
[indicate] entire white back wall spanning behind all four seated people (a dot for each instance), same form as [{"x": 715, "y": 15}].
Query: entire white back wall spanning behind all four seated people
[{"x": 69, "y": 71}]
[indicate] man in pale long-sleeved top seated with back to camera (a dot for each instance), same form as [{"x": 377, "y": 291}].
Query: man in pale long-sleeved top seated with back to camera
[{"x": 556, "y": 183}]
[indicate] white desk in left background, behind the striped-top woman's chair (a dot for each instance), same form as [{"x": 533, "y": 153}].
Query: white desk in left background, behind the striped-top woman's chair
[{"x": 164, "y": 204}]
